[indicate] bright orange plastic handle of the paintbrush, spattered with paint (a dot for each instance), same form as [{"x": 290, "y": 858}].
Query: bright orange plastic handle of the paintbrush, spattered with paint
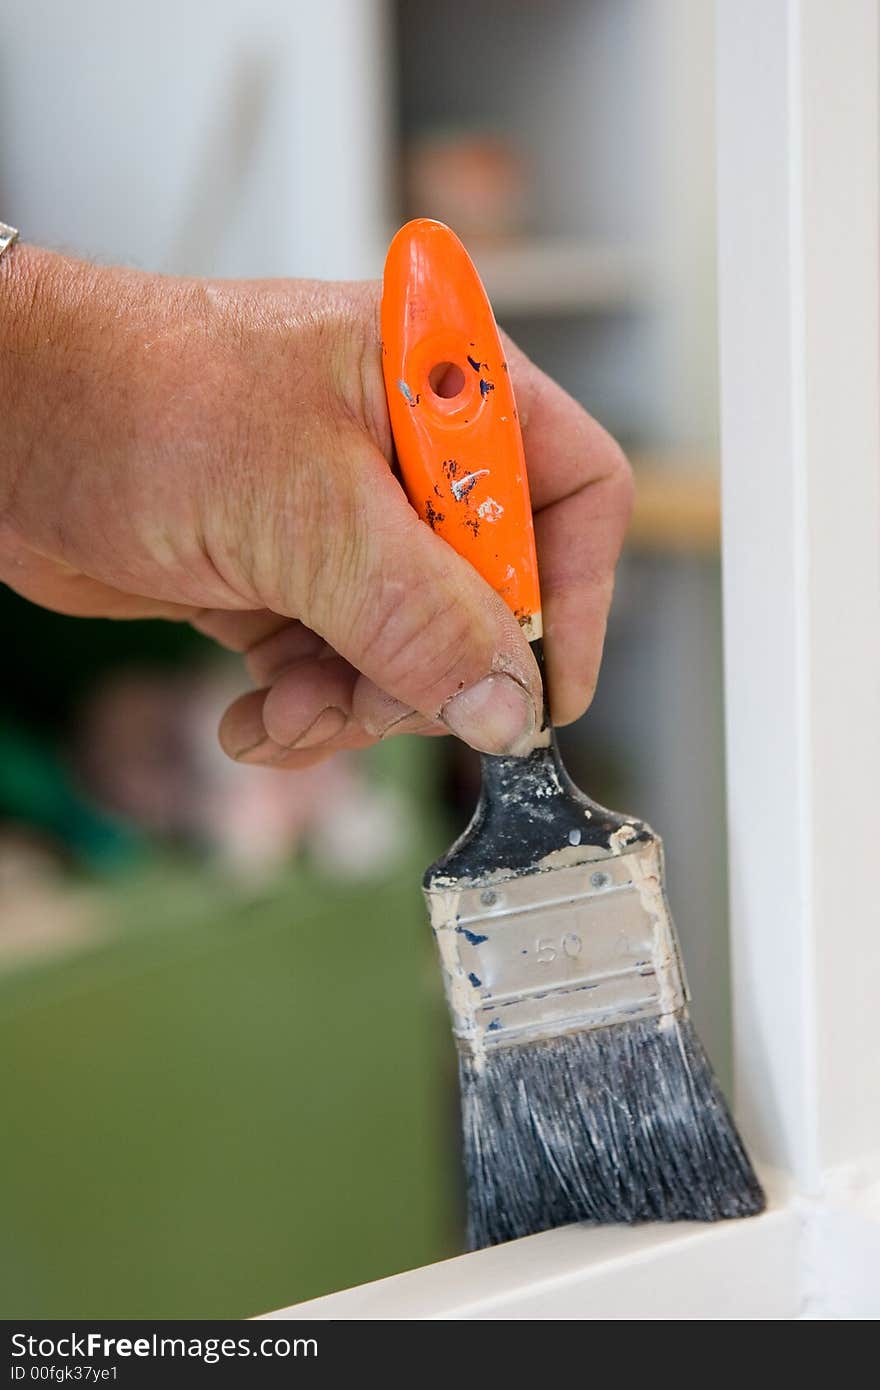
[{"x": 461, "y": 457}]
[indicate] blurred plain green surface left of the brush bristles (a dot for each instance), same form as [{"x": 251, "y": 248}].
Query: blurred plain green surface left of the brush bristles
[{"x": 225, "y": 1107}]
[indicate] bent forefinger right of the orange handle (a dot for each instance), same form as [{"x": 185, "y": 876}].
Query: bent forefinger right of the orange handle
[{"x": 582, "y": 493}]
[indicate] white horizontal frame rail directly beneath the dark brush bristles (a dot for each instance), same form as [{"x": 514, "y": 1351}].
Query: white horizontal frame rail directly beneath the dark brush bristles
[{"x": 738, "y": 1270}]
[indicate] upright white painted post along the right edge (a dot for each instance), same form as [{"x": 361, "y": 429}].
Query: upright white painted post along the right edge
[{"x": 801, "y": 512}]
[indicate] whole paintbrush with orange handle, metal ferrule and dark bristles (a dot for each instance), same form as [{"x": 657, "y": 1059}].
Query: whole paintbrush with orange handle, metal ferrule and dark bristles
[{"x": 586, "y": 1092}]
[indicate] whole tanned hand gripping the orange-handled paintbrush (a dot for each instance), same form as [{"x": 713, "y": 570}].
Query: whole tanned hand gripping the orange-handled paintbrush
[{"x": 220, "y": 454}]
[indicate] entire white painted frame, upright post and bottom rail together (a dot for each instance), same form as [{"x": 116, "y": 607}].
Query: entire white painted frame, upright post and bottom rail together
[{"x": 800, "y": 330}]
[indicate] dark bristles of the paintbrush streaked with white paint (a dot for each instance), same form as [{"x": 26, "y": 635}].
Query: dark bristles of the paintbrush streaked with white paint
[{"x": 624, "y": 1124}]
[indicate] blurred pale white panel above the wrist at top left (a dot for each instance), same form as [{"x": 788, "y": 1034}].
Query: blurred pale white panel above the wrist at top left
[{"x": 216, "y": 137}]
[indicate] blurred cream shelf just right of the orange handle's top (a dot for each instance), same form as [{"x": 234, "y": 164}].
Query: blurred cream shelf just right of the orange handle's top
[{"x": 561, "y": 277}]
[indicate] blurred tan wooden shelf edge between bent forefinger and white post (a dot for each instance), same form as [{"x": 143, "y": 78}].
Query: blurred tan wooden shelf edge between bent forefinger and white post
[{"x": 678, "y": 505}]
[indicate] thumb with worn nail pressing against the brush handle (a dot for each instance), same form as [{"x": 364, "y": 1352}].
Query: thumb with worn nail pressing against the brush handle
[{"x": 419, "y": 623}]
